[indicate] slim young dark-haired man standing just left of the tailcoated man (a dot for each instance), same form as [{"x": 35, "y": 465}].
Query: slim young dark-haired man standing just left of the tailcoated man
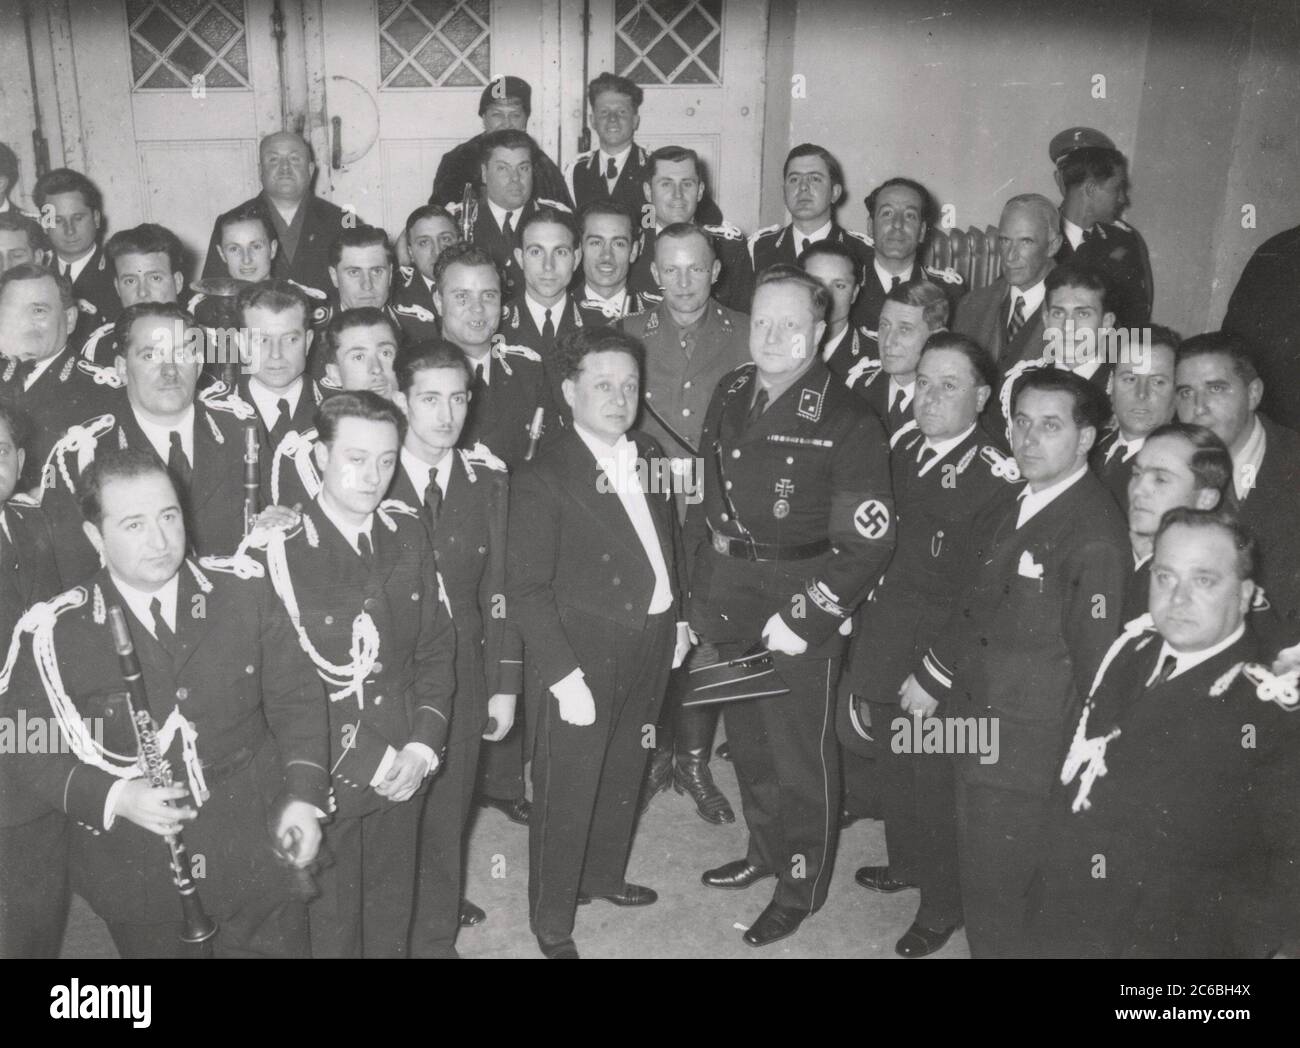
[{"x": 465, "y": 500}]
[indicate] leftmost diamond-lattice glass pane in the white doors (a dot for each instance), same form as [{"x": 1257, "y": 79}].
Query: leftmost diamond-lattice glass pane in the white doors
[{"x": 179, "y": 40}]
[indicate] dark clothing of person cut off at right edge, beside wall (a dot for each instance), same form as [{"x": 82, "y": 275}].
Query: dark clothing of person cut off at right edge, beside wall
[{"x": 1267, "y": 310}]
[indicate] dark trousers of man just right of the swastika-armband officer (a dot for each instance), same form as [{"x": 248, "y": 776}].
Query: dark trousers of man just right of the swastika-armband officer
[{"x": 921, "y": 822}]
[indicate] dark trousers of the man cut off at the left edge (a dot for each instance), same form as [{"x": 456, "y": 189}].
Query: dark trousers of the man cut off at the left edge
[{"x": 34, "y": 894}]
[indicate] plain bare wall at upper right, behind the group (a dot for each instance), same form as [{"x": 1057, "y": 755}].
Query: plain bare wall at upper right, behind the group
[{"x": 965, "y": 97}]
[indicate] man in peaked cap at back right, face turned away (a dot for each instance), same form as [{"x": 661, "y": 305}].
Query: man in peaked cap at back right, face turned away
[{"x": 1093, "y": 176}]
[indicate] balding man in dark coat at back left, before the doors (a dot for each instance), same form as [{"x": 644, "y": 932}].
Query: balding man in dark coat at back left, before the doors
[{"x": 305, "y": 226}]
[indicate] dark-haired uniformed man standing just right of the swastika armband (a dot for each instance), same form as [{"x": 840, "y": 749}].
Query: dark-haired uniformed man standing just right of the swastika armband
[{"x": 946, "y": 478}]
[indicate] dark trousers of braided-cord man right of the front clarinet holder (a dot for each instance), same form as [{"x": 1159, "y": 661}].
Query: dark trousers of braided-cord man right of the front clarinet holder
[{"x": 369, "y": 893}]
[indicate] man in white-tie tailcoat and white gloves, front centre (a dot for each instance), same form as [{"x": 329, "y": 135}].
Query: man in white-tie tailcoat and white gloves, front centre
[{"x": 601, "y": 640}]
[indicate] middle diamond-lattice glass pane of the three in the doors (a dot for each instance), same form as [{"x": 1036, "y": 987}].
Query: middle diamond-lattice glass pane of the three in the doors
[{"x": 439, "y": 44}]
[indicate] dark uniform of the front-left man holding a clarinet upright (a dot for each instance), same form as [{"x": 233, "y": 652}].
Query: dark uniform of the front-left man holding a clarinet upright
[{"x": 235, "y": 670}]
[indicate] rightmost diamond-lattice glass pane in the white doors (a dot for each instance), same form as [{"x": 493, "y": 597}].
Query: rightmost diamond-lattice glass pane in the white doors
[{"x": 660, "y": 42}]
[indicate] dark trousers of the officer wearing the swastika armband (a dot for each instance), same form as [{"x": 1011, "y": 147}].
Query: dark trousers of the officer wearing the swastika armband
[{"x": 788, "y": 765}]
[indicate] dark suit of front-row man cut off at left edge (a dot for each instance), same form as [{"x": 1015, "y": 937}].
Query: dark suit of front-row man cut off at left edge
[{"x": 33, "y": 834}]
